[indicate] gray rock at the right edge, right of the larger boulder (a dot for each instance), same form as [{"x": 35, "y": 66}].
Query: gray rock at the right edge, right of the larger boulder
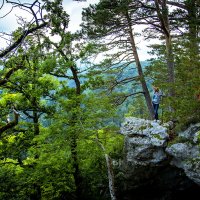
[{"x": 186, "y": 154}]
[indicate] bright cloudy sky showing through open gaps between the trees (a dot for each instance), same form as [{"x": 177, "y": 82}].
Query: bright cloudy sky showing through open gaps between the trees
[{"x": 73, "y": 8}]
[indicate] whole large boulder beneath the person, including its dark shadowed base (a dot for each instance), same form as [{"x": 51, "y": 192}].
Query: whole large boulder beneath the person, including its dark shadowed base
[{"x": 144, "y": 150}]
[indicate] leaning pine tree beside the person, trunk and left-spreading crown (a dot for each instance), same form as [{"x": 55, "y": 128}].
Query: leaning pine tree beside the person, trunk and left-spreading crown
[{"x": 115, "y": 29}]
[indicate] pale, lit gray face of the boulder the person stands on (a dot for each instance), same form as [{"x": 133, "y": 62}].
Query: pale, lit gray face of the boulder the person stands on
[{"x": 144, "y": 142}]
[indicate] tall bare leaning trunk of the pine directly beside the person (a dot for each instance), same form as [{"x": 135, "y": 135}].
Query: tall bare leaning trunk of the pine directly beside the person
[{"x": 139, "y": 68}]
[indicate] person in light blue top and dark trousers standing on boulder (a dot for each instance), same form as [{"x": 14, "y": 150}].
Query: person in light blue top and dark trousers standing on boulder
[{"x": 156, "y": 101}]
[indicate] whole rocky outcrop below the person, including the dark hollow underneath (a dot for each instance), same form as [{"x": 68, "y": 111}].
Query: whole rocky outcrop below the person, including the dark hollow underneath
[{"x": 155, "y": 167}]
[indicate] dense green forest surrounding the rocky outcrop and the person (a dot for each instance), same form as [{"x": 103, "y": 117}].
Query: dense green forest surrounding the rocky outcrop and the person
[{"x": 60, "y": 112}]
